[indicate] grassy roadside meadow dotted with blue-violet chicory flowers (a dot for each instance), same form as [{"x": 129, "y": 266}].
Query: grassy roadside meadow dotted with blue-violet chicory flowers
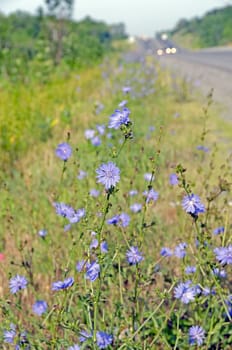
[{"x": 115, "y": 212}]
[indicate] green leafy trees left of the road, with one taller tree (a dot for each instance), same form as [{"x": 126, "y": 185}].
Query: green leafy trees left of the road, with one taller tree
[{"x": 51, "y": 38}]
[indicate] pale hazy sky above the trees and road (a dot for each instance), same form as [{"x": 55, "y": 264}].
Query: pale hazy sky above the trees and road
[{"x": 140, "y": 16}]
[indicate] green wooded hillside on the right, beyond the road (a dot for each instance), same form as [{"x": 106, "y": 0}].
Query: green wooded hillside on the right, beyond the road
[{"x": 213, "y": 29}]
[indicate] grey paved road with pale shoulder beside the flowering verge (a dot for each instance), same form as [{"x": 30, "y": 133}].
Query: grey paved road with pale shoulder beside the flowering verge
[{"x": 207, "y": 69}]
